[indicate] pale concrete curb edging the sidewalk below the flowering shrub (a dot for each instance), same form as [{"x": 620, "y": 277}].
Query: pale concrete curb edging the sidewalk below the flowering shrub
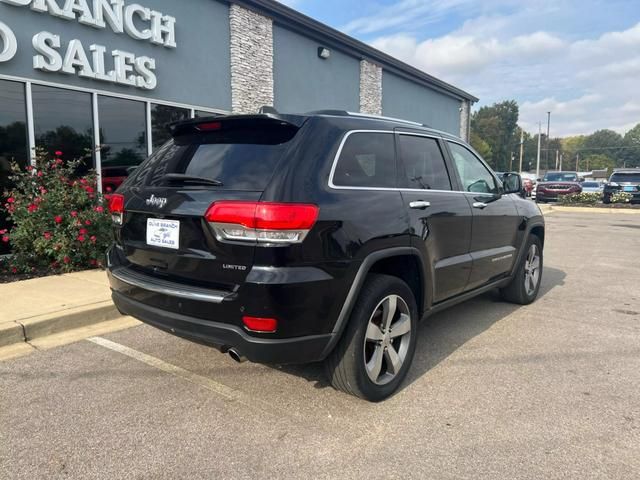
[{"x": 29, "y": 329}]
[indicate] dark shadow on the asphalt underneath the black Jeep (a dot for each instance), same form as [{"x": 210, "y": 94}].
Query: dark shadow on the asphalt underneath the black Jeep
[{"x": 442, "y": 334}]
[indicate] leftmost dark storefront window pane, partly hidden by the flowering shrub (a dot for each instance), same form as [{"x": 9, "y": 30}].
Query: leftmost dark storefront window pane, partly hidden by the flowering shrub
[{"x": 13, "y": 138}]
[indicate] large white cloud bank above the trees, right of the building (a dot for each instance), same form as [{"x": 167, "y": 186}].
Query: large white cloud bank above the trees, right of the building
[{"x": 588, "y": 83}]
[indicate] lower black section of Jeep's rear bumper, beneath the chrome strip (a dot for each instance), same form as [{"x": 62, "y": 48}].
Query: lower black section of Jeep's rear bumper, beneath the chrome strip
[{"x": 225, "y": 336}]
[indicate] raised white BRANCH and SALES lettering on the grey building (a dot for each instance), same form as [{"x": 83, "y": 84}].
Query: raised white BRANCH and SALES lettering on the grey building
[{"x": 53, "y": 53}]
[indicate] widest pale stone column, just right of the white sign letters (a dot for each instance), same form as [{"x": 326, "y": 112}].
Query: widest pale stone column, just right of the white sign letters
[{"x": 251, "y": 60}]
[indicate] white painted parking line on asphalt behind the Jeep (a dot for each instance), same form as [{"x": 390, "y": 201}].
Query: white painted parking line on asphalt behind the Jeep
[{"x": 194, "y": 378}]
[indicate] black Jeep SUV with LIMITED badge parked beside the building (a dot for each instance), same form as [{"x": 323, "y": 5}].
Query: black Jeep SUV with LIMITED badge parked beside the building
[{"x": 326, "y": 236}]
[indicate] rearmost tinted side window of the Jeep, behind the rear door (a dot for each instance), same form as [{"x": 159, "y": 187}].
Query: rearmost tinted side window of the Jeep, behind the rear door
[{"x": 367, "y": 160}]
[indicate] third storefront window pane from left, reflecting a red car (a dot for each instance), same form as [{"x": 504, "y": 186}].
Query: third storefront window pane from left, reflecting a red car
[{"x": 123, "y": 139}]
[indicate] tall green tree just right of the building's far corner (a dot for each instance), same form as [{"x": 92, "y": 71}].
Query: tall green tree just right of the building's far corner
[{"x": 497, "y": 126}]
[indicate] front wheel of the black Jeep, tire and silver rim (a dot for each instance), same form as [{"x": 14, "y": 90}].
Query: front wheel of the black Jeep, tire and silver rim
[{"x": 525, "y": 284}]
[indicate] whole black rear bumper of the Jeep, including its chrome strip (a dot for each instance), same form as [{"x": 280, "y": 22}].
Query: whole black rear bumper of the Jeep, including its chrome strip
[{"x": 304, "y": 300}]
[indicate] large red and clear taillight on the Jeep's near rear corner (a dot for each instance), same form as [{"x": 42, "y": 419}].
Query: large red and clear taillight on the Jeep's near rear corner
[{"x": 264, "y": 223}]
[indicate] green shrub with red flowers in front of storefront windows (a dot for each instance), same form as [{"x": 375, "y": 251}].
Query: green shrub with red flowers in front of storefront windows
[{"x": 60, "y": 222}]
